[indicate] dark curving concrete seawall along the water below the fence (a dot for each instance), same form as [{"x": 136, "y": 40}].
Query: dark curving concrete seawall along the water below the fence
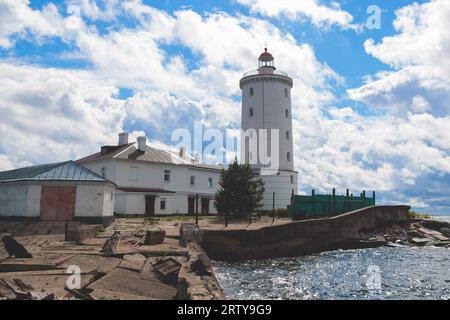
[{"x": 301, "y": 237}]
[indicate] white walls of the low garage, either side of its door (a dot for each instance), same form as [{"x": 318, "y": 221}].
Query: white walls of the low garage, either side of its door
[{"x": 23, "y": 199}]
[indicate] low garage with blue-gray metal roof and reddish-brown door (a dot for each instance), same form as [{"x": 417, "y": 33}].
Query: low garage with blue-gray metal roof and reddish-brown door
[{"x": 62, "y": 191}]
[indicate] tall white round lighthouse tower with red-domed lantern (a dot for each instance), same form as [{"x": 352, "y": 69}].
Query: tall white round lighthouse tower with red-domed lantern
[{"x": 266, "y": 114}]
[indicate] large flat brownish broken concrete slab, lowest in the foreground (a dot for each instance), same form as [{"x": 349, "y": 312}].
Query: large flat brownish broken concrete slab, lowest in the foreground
[{"x": 130, "y": 282}]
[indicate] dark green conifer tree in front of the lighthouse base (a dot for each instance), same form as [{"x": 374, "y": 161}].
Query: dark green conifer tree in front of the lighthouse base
[{"x": 240, "y": 192}]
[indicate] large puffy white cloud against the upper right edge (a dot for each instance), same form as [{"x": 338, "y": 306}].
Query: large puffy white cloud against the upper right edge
[{"x": 419, "y": 54}]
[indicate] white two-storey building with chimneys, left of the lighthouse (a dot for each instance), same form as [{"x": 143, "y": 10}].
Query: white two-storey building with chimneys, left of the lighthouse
[{"x": 153, "y": 181}]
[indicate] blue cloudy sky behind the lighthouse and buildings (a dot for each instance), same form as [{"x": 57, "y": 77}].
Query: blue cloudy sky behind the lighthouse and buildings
[{"x": 370, "y": 101}]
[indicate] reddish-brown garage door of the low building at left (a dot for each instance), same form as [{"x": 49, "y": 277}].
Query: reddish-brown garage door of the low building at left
[{"x": 58, "y": 203}]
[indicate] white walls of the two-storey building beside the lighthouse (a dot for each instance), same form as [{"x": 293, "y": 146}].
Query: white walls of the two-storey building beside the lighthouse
[{"x": 151, "y": 176}]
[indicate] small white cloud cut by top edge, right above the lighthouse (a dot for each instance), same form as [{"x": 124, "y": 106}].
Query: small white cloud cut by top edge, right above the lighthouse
[{"x": 320, "y": 15}]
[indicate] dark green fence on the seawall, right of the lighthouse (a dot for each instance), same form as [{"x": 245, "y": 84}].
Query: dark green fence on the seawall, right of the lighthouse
[{"x": 320, "y": 206}]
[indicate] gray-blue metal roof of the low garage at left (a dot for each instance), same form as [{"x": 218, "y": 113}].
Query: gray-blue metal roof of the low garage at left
[{"x": 61, "y": 171}]
